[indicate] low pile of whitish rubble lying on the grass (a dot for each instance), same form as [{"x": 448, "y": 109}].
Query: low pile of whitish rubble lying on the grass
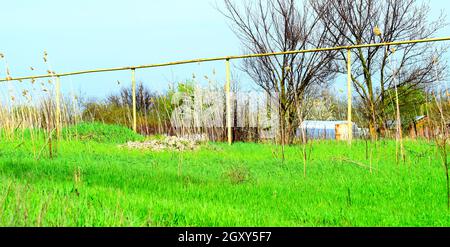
[{"x": 171, "y": 143}]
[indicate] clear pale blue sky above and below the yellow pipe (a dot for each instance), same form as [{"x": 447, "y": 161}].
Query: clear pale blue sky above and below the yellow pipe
[{"x": 86, "y": 34}]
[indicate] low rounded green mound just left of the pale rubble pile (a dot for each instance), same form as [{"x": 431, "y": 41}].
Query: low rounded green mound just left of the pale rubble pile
[{"x": 99, "y": 132}]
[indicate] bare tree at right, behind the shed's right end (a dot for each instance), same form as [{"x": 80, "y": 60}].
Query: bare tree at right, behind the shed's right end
[{"x": 354, "y": 22}]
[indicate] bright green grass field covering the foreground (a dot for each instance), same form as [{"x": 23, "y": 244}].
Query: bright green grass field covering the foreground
[{"x": 94, "y": 182}]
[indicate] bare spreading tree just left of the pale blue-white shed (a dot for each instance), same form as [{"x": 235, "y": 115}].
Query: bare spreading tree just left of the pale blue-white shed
[{"x": 282, "y": 25}]
